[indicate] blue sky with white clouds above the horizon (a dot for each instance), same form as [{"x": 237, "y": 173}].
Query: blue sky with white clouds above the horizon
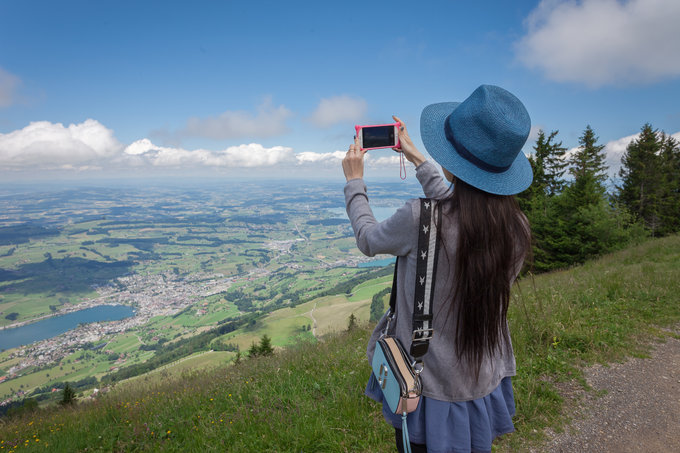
[{"x": 273, "y": 89}]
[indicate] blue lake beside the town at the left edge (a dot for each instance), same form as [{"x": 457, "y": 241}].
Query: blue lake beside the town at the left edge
[{"x": 56, "y": 325}]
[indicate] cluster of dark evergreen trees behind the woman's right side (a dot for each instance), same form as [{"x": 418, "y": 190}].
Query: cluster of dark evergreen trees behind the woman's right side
[{"x": 577, "y": 214}]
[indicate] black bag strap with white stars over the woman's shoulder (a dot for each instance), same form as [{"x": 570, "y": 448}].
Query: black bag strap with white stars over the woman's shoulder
[{"x": 426, "y": 271}]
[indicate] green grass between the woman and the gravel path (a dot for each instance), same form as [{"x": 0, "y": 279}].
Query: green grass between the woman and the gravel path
[{"x": 603, "y": 311}]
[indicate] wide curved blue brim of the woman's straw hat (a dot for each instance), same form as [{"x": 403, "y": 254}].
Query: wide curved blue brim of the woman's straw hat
[{"x": 512, "y": 181}]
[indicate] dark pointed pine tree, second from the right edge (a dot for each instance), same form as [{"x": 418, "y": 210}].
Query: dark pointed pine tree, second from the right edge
[{"x": 641, "y": 181}]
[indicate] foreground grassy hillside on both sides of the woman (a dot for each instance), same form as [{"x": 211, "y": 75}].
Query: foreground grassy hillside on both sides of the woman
[{"x": 309, "y": 398}]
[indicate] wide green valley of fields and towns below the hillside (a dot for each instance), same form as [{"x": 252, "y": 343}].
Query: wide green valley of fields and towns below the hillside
[{"x": 189, "y": 260}]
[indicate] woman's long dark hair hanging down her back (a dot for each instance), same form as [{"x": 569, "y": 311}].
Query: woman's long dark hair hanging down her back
[{"x": 493, "y": 240}]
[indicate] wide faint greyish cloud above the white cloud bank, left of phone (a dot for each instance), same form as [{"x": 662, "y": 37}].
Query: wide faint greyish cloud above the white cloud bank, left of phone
[{"x": 269, "y": 121}]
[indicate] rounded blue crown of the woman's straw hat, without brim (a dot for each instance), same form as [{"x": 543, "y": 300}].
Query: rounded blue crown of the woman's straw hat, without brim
[{"x": 490, "y": 126}]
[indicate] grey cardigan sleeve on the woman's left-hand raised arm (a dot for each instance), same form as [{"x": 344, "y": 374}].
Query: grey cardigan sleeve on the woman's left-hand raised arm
[{"x": 394, "y": 235}]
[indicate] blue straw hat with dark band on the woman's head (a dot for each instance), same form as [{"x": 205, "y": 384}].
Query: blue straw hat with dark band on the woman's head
[{"x": 480, "y": 140}]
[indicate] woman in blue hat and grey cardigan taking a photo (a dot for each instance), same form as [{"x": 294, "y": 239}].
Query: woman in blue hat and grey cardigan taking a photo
[{"x": 467, "y": 397}]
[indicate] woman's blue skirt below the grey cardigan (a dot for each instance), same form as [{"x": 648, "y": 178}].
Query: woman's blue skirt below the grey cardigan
[{"x": 464, "y": 426}]
